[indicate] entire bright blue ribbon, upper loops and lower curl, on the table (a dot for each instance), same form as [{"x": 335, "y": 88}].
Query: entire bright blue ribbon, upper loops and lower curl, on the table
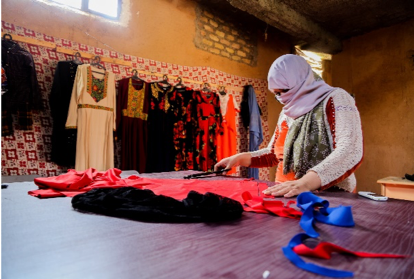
[{"x": 316, "y": 208}]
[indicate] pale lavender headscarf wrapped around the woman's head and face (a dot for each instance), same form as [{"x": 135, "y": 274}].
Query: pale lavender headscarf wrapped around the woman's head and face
[{"x": 306, "y": 88}]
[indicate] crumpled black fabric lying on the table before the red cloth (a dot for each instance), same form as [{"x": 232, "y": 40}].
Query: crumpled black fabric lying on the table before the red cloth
[{"x": 144, "y": 205}]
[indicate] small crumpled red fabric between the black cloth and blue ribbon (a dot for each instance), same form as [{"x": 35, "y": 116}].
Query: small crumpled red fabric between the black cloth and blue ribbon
[{"x": 260, "y": 205}]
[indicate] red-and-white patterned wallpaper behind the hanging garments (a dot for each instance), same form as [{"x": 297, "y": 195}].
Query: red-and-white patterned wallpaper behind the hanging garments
[{"x": 28, "y": 152}]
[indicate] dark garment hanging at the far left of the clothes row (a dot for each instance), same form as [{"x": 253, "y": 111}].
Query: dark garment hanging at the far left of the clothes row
[{"x": 23, "y": 94}]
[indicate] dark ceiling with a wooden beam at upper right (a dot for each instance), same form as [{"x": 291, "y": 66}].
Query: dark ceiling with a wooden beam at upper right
[{"x": 321, "y": 25}]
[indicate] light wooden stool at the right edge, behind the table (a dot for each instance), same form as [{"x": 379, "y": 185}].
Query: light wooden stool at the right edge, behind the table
[{"x": 397, "y": 188}]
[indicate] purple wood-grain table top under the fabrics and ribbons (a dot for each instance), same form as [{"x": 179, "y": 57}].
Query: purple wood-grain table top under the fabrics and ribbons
[{"x": 48, "y": 239}]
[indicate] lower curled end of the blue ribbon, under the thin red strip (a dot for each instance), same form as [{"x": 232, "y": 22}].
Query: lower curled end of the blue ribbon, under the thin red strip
[{"x": 296, "y": 260}]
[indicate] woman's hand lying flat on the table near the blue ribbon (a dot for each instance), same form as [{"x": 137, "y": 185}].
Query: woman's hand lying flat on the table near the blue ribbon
[{"x": 308, "y": 182}]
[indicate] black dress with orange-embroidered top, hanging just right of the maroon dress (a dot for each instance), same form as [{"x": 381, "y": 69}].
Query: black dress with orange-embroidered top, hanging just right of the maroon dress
[{"x": 160, "y": 157}]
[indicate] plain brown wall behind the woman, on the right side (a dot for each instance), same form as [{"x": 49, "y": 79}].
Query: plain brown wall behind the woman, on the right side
[{"x": 379, "y": 70}]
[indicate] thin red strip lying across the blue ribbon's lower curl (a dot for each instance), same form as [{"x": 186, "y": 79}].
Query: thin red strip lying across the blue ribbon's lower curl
[{"x": 324, "y": 250}]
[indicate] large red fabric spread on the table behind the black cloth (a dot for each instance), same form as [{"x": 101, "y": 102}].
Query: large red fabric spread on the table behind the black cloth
[{"x": 76, "y": 182}]
